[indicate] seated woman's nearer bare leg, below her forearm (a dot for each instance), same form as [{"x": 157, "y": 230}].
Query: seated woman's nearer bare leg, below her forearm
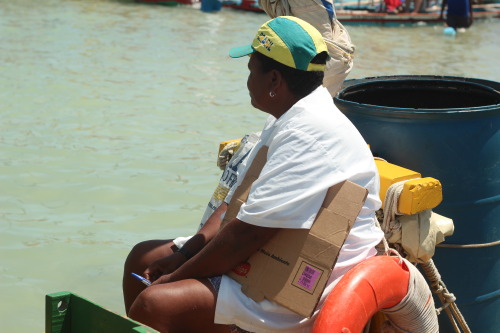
[{"x": 182, "y": 306}]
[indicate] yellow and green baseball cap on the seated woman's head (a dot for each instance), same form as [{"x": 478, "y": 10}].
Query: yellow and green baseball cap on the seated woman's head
[{"x": 288, "y": 40}]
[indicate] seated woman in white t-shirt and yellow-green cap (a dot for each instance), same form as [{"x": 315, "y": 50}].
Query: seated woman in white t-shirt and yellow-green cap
[{"x": 311, "y": 146}]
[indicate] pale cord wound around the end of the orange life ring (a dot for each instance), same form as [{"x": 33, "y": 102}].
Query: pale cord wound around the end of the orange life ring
[{"x": 415, "y": 312}]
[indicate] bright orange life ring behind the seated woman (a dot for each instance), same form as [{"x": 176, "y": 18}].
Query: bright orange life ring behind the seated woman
[{"x": 377, "y": 283}]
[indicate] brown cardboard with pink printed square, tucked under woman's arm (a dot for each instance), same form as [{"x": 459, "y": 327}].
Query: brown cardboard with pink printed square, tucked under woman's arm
[{"x": 293, "y": 268}]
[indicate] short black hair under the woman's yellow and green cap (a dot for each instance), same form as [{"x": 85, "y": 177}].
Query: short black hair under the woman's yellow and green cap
[{"x": 301, "y": 83}]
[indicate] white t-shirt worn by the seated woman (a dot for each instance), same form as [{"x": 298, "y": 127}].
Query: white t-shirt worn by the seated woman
[{"x": 311, "y": 147}]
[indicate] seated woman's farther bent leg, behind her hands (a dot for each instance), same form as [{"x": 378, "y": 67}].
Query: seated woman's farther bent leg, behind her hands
[{"x": 141, "y": 256}]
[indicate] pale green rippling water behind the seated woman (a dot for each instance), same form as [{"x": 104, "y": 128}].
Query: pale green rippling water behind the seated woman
[{"x": 111, "y": 114}]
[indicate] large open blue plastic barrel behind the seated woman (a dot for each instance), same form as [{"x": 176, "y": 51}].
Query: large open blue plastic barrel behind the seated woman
[{"x": 446, "y": 128}]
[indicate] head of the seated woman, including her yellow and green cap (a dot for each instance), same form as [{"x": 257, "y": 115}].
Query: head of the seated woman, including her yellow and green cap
[{"x": 285, "y": 49}]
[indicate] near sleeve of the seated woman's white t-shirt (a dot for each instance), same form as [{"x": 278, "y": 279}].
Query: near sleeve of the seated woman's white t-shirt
[{"x": 292, "y": 185}]
